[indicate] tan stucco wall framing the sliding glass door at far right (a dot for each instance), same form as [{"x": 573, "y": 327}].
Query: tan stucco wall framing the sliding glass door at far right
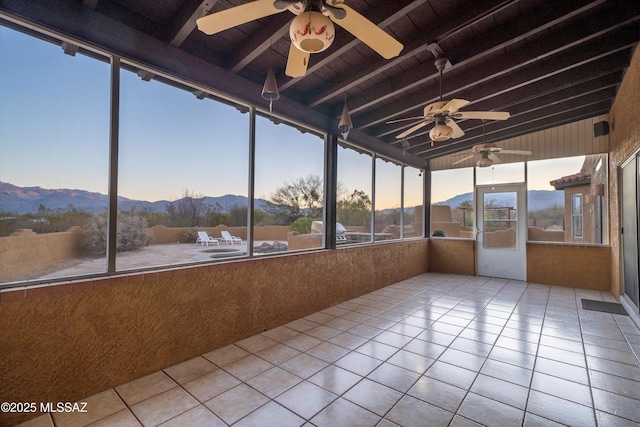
[{"x": 624, "y": 139}]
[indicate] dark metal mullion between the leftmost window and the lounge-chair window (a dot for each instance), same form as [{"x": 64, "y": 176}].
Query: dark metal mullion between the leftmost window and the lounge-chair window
[{"x": 114, "y": 123}]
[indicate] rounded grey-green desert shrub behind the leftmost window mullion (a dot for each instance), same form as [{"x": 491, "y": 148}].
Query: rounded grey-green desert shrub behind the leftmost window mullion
[{"x": 132, "y": 232}]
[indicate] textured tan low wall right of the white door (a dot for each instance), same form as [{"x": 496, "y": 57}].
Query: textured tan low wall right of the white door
[{"x": 587, "y": 267}]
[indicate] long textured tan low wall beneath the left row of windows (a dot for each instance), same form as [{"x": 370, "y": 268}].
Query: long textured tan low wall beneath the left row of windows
[{"x": 70, "y": 341}]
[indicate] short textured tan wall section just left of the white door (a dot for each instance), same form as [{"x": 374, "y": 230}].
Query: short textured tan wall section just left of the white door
[{"x": 452, "y": 256}]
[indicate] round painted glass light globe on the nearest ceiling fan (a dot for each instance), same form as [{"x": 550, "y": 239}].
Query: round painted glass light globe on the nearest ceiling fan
[{"x": 312, "y": 32}]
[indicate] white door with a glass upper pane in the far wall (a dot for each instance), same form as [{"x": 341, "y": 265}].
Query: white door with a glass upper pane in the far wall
[{"x": 501, "y": 231}]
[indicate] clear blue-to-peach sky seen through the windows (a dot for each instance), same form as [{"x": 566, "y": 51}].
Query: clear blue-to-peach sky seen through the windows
[{"x": 54, "y": 133}]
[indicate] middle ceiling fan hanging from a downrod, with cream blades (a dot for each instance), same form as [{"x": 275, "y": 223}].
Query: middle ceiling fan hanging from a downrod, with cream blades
[{"x": 444, "y": 114}]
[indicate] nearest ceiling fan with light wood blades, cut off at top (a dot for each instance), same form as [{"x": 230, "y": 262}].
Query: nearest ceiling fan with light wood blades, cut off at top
[{"x": 311, "y": 31}]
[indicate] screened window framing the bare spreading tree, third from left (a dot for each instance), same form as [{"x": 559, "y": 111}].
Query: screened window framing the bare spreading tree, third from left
[{"x": 289, "y": 187}]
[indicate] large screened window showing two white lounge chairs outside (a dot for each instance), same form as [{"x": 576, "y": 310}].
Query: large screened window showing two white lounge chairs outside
[{"x": 182, "y": 175}]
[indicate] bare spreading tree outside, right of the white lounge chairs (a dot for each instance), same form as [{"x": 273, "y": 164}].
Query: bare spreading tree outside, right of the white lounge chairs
[{"x": 301, "y": 198}]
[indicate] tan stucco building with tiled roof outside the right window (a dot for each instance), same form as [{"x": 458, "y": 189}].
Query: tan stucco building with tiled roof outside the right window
[{"x": 584, "y": 196}]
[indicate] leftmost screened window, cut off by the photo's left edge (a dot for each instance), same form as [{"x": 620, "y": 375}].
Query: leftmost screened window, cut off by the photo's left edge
[{"x": 54, "y": 151}]
